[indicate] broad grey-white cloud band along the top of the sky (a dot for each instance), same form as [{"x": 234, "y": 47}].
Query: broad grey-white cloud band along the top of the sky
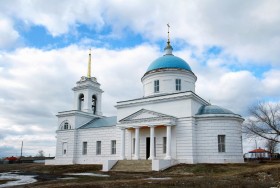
[{"x": 247, "y": 30}]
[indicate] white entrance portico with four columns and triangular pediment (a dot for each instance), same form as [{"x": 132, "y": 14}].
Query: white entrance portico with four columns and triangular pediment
[{"x": 146, "y": 128}]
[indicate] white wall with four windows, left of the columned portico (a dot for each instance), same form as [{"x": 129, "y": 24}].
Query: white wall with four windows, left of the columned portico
[{"x": 75, "y": 145}]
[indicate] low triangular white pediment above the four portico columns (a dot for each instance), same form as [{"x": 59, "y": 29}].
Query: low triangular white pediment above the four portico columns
[{"x": 145, "y": 114}]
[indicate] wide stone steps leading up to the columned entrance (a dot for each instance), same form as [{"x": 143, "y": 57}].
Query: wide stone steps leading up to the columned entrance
[{"x": 133, "y": 166}]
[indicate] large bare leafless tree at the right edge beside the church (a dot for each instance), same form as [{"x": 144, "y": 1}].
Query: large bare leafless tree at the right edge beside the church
[{"x": 264, "y": 121}]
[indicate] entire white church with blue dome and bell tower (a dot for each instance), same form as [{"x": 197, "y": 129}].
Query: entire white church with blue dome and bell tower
[{"x": 170, "y": 124}]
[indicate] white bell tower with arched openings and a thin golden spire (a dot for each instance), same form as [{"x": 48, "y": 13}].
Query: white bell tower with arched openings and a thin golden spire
[{"x": 87, "y": 93}]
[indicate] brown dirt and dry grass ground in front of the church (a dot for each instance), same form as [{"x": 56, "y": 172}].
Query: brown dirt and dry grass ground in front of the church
[{"x": 182, "y": 175}]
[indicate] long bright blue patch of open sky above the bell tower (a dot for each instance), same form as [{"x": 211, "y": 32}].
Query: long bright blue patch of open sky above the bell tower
[{"x": 39, "y": 37}]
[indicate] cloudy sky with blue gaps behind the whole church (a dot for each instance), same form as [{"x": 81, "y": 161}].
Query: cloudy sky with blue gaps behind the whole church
[{"x": 232, "y": 47}]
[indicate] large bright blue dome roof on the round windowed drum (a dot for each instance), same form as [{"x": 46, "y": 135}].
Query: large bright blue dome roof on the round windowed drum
[{"x": 169, "y": 61}]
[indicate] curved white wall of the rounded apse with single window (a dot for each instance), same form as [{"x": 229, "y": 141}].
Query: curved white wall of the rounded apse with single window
[{"x": 207, "y": 131}]
